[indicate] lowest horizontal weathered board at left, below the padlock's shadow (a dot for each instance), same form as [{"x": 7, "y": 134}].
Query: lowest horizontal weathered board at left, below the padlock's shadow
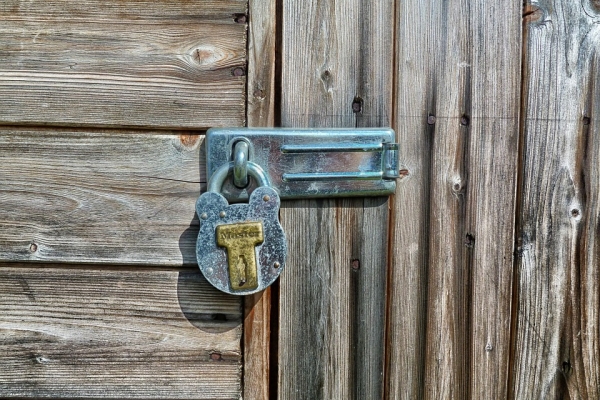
[{"x": 116, "y": 333}]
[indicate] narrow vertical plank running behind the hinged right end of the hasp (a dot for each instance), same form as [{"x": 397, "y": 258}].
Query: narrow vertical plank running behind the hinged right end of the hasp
[{"x": 374, "y": 89}]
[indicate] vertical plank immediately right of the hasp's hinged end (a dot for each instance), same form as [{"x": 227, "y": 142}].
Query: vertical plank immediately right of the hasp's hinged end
[{"x": 405, "y": 364}]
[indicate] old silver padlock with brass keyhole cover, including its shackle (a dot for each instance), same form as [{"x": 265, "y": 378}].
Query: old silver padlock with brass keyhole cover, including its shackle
[{"x": 241, "y": 248}]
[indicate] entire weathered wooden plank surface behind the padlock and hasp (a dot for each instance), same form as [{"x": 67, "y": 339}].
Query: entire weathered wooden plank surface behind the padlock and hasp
[{"x": 477, "y": 279}]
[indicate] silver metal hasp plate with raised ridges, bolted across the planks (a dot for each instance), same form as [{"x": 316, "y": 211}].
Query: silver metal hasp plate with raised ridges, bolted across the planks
[{"x": 307, "y": 163}]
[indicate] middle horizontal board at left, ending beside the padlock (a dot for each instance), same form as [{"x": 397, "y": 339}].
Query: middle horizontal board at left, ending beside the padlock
[{"x": 101, "y": 197}]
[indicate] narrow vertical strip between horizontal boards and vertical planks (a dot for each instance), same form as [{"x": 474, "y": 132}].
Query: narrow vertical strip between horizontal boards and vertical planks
[{"x": 260, "y": 113}]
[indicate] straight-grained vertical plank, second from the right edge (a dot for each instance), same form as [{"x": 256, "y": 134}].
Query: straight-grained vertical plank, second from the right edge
[{"x": 492, "y": 184}]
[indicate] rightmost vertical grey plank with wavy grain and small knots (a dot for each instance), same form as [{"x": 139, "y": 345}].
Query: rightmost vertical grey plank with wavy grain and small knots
[{"x": 558, "y": 339}]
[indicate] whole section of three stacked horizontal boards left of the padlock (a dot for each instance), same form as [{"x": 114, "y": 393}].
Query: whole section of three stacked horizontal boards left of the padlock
[{"x": 86, "y": 194}]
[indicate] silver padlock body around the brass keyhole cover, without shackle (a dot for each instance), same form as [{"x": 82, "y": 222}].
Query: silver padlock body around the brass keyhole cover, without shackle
[{"x": 270, "y": 254}]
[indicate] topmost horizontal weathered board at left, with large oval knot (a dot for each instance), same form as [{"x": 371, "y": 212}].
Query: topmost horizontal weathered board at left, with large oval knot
[{"x": 122, "y": 63}]
